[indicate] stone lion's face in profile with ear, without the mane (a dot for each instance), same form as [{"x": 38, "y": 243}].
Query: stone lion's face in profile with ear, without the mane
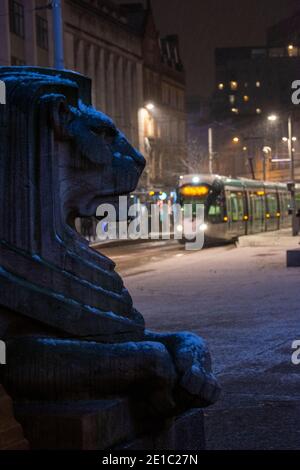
[{"x": 102, "y": 164}]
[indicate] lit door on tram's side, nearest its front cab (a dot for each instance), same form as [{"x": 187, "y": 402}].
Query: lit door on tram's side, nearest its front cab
[{"x": 236, "y": 211}]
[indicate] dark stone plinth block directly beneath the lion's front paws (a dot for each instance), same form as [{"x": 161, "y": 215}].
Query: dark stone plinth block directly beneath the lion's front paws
[{"x": 107, "y": 424}]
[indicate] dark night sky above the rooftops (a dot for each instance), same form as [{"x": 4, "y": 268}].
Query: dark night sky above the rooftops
[{"x": 204, "y": 25}]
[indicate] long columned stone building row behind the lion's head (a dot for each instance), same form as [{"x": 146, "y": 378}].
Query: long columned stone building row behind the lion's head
[{"x": 138, "y": 77}]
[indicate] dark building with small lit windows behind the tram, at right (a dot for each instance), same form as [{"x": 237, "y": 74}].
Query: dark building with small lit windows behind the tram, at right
[{"x": 251, "y": 85}]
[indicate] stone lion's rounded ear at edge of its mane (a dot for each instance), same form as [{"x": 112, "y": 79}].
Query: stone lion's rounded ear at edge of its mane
[{"x": 60, "y": 116}]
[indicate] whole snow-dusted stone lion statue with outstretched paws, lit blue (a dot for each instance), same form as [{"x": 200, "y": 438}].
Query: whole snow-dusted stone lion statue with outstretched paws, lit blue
[{"x": 68, "y": 321}]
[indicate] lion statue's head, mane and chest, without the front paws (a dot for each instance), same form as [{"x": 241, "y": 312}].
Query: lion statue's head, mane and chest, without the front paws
[{"x": 60, "y": 158}]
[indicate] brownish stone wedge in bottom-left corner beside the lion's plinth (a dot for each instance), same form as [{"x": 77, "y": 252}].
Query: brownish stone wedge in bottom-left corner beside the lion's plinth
[{"x": 11, "y": 434}]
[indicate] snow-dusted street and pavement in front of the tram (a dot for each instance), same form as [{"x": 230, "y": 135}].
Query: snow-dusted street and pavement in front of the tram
[{"x": 244, "y": 302}]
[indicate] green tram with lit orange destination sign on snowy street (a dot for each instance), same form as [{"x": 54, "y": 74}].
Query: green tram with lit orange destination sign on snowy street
[{"x": 236, "y": 207}]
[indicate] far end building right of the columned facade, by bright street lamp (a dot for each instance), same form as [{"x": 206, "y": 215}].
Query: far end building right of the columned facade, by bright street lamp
[{"x": 162, "y": 119}]
